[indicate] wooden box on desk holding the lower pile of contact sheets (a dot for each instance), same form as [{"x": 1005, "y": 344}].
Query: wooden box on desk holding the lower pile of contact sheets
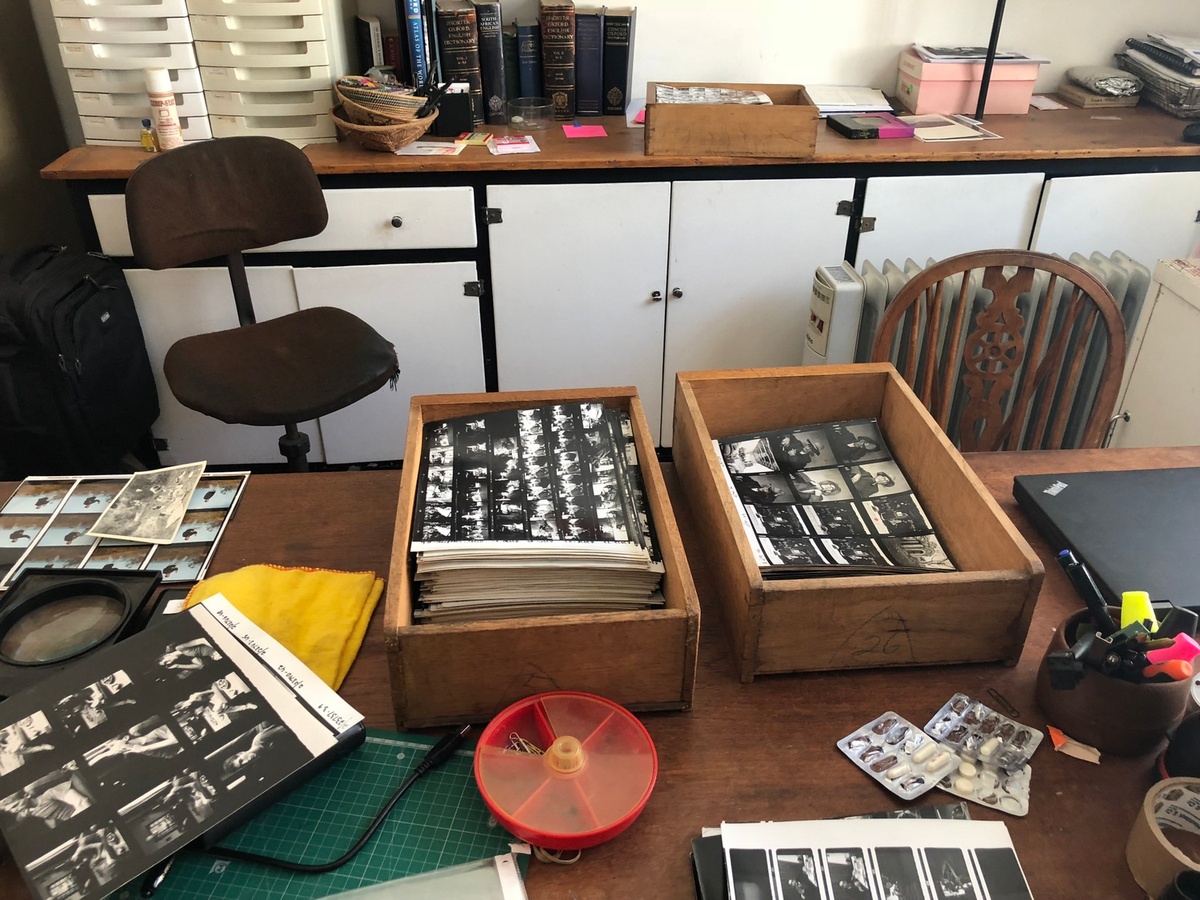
[{"x": 979, "y": 614}]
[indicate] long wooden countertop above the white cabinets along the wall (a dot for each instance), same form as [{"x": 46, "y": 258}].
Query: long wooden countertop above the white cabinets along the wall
[{"x": 1039, "y": 135}]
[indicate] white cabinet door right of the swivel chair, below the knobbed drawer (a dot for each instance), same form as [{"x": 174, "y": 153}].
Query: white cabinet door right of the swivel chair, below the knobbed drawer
[{"x": 423, "y": 310}]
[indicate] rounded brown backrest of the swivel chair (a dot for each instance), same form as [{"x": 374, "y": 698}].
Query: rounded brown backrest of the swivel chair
[{"x": 213, "y": 199}]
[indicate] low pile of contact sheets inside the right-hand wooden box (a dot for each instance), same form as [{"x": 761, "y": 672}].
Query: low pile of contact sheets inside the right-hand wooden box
[{"x": 829, "y": 500}]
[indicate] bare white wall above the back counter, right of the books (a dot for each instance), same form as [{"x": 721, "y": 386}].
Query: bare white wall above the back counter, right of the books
[{"x": 857, "y": 41}]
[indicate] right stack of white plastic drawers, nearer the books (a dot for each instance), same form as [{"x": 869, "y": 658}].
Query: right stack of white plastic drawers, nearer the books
[{"x": 269, "y": 67}]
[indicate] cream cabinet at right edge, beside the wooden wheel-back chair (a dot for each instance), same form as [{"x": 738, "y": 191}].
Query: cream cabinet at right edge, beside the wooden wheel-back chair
[{"x": 1161, "y": 391}]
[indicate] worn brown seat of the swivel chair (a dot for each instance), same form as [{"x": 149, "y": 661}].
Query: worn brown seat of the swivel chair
[{"x": 281, "y": 371}]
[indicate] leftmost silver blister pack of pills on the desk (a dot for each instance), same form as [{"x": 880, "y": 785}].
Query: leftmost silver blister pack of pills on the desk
[{"x": 898, "y": 755}]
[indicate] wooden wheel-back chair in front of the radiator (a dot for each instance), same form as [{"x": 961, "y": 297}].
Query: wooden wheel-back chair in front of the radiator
[{"x": 1007, "y": 349}]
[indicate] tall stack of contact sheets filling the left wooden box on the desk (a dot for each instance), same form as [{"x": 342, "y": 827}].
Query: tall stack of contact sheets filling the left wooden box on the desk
[{"x": 535, "y": 509}]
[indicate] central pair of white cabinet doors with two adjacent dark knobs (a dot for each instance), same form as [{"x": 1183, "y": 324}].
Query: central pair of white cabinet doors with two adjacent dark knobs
[{"x": 629, "y": 284}]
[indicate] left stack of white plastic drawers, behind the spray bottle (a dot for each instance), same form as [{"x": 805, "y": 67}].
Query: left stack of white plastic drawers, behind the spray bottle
[{"x": 107, "y": 44}]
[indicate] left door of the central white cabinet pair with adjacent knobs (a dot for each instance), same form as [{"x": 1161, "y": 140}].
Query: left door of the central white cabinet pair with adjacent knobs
[{"x": 579, "y": 274}]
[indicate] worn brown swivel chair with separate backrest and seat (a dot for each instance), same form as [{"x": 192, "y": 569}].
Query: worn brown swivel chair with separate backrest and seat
[{"x": 219, "y": 199}]
